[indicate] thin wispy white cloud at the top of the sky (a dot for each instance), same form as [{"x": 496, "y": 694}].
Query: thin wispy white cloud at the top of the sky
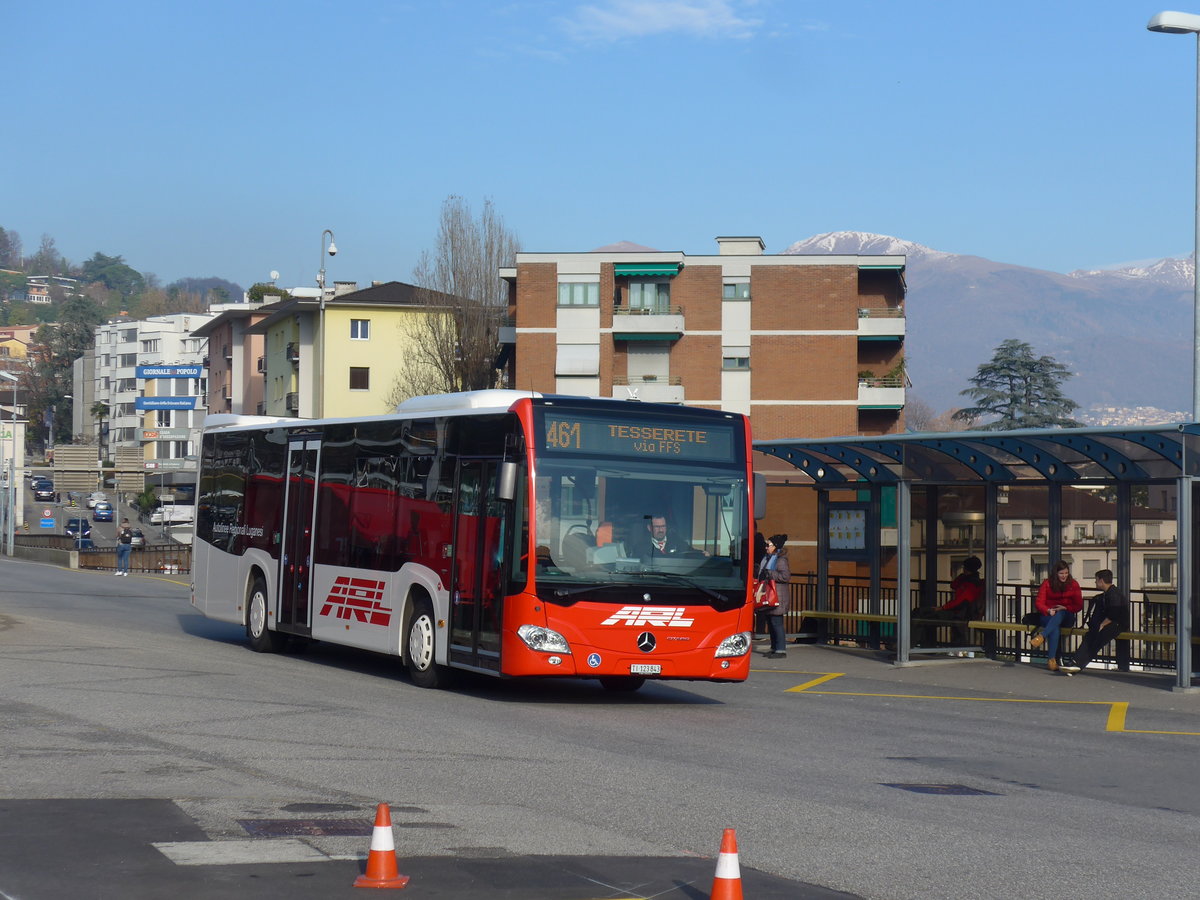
[{"x": 616, "y": 20}]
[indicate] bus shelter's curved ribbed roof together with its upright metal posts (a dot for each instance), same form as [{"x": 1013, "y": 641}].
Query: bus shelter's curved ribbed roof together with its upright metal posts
[{"x": 1034, "y": 457}]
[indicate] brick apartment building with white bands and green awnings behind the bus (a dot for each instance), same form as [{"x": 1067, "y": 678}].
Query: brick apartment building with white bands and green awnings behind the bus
[{"x": 807, "y": 346}]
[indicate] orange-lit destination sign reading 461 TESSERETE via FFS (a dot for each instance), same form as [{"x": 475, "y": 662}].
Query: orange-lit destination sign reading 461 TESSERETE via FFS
[{"x": 583, "y": 434}]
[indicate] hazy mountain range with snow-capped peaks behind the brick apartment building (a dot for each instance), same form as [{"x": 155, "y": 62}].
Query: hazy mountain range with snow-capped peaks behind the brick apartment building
[{"x": 1125, "y": 333}]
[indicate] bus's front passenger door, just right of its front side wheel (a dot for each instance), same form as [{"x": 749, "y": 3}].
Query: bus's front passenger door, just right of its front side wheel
[{"x": 477, "y": 591}]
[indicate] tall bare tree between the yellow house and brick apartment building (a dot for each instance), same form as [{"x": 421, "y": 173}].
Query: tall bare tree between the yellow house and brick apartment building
[{"x": 454, "y": 346}]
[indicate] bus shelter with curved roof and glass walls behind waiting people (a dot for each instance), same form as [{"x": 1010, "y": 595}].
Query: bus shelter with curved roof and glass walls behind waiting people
[{"x": 904, "y": 511}]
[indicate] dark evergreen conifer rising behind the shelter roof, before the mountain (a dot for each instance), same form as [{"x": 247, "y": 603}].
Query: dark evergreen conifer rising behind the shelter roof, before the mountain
[{"x": 1021, "y": 391}]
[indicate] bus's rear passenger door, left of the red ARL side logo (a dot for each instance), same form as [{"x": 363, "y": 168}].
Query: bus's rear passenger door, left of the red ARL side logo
[{"x": 297, "y": 542}]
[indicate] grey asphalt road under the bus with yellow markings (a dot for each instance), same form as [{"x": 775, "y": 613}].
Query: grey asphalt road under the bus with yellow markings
[{"x": 148, "y": 753}]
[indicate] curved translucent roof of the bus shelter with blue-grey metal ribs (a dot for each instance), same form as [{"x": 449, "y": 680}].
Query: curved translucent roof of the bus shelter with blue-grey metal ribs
[{"x": 1063, "y": 455}]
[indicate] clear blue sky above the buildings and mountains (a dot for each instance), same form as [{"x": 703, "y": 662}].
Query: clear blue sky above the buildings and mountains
[{"x": 221, "y": 139}]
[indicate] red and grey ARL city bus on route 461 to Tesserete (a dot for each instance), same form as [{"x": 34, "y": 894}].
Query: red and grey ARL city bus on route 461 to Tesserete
[{"x": 499, "y": 532}]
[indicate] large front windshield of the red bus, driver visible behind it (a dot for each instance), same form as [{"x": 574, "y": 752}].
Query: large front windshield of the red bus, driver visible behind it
[{"x": 604, "y": 529}]
